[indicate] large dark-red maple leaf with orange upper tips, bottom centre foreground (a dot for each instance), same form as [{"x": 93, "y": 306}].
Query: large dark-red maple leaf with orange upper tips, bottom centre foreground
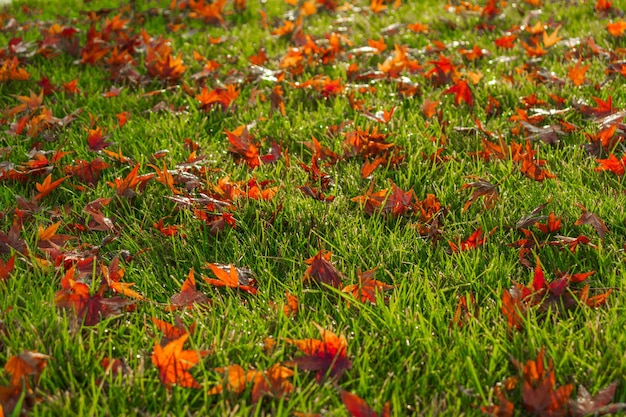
[{"x": 327, "y": 356}]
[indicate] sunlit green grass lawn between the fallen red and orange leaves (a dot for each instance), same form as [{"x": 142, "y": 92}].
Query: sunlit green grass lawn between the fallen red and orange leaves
[{"x": 407, "y": 351}]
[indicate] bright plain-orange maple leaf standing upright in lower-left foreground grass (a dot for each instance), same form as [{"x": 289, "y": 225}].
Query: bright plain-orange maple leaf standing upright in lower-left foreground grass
[{"x": 173, "y": 362}]
